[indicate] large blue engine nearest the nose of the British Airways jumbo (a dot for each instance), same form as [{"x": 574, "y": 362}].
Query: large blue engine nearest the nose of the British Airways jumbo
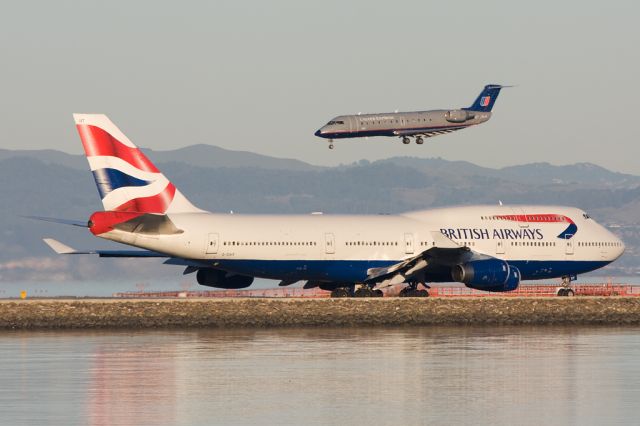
[{"x": 487, "y": 275}]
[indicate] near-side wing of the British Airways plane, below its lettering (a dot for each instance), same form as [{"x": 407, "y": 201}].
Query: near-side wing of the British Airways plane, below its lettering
[{"x": 445, "y": 252}]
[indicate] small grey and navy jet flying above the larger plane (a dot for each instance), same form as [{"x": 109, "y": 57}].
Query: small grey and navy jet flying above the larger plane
[{"x": 416, "y": 124}]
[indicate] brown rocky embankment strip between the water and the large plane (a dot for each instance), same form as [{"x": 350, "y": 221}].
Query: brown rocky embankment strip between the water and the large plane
[{"x": 109, "y": 313}]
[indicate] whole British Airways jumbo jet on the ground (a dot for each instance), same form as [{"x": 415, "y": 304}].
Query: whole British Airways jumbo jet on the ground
[{"x": 489, "y": 248}]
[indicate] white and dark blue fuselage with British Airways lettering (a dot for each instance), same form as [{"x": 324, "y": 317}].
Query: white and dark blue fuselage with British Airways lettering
[{"x": 550, "y": 242}]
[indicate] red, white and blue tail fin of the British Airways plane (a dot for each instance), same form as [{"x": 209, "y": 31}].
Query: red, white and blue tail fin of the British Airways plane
[{"x": 127, "y": 181}]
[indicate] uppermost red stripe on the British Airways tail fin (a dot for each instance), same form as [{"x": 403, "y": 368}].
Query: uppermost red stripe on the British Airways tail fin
[{"x": 98, "y": 142}]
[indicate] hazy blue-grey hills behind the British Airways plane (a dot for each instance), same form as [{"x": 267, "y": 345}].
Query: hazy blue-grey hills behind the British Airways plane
[{"x": 52, "y": 183}]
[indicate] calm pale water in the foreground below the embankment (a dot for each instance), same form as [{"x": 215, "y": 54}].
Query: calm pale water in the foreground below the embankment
[{"x": 323, "y": 376}]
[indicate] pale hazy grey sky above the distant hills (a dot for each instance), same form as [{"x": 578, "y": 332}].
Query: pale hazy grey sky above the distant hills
[{"x": 264, "y": 75}]
